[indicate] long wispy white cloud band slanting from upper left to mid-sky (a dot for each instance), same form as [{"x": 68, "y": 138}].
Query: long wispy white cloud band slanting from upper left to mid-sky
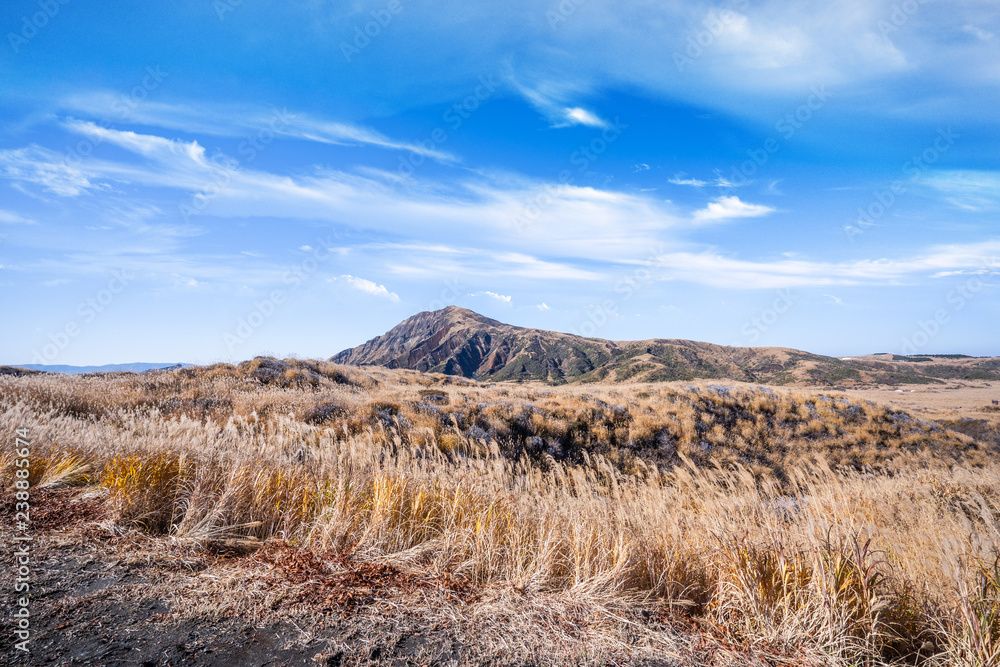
[{"x": 511, "y": 212}]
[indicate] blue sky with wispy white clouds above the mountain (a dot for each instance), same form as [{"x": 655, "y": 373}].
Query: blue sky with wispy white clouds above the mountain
[{"x": 211, "y": 180}]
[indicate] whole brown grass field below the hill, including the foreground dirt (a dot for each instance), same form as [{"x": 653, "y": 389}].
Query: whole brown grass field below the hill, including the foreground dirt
[{"x": 328, "y": 514}]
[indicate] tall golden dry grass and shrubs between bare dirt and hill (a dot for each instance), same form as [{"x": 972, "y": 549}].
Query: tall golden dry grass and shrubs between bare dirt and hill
[{"x": 846, "y": 533}]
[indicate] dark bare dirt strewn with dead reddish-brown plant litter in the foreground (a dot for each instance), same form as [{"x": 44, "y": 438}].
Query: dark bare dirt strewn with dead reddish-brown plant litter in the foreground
[{"x": 100, "y": 597}]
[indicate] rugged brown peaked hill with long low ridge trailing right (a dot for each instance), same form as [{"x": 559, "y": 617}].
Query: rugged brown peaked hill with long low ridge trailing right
[{"x": 457, "y": 341}]
